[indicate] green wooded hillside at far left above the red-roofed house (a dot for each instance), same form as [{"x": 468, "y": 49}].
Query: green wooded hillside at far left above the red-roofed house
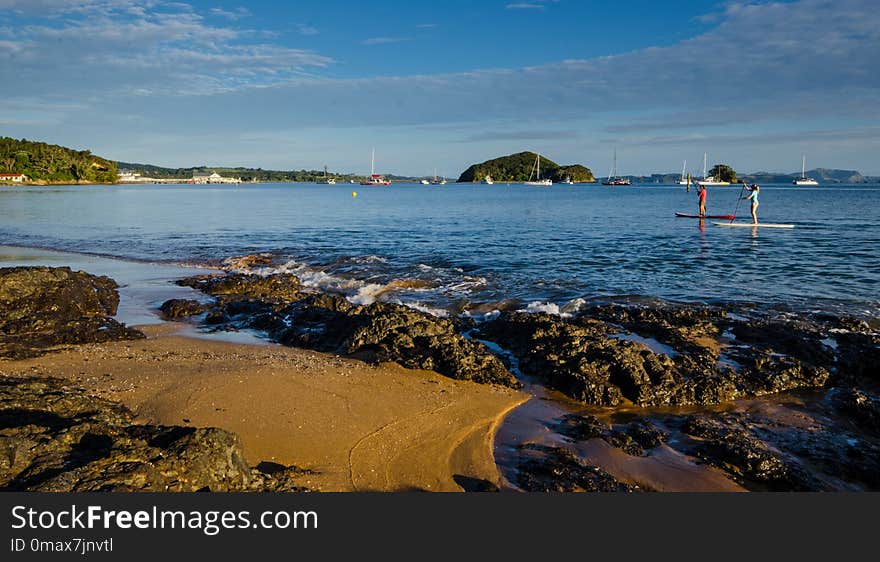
[{"x": 50, "y": 163}]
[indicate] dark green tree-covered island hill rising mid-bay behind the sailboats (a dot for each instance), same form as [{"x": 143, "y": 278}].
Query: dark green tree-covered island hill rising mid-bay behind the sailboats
[{"x": 518, "y": 167}]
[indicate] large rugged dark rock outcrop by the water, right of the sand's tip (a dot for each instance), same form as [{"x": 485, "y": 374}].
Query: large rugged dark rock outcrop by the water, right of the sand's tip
[{"x": 591, "y": 360}]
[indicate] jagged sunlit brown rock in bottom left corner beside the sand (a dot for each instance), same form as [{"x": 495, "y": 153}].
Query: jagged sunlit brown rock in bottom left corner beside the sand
[{"x": 57, "y": 438}]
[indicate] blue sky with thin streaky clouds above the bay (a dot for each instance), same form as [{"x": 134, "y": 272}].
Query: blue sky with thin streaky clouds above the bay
[{"x": 446, "y": 83}]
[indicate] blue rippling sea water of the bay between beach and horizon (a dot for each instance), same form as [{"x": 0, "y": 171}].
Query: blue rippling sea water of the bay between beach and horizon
[{"x": 466, "y": 244}]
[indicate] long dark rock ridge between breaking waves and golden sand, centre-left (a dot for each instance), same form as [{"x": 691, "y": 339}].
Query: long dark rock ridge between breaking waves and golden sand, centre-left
[{"x": 324, "y": 322}]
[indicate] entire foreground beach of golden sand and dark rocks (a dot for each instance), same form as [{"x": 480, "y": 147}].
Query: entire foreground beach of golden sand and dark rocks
[{"x": 657, "y": 395}]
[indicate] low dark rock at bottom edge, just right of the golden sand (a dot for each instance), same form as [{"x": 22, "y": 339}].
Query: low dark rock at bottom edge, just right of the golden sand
[{"x": 556, "y": 469}]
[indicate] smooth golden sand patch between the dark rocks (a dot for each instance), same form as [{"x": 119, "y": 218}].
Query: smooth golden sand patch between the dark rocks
[{"x": 359, "y": 427}]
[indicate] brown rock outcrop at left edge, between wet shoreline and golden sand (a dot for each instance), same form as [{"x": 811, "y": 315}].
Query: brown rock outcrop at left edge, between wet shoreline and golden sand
[{"x": 42, "y": 307}]
